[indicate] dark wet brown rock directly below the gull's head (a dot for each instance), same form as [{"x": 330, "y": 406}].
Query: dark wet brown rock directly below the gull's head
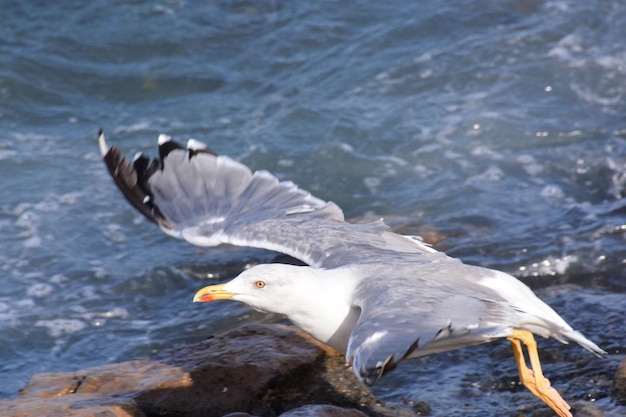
[{"x": 239, "y": 371}]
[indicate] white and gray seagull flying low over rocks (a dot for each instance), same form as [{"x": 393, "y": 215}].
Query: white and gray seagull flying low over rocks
[{"x": 378, "y": 296}]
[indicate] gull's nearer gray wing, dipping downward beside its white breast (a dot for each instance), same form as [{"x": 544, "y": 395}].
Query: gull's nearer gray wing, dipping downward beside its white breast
[{"x": 428, "y": 315}]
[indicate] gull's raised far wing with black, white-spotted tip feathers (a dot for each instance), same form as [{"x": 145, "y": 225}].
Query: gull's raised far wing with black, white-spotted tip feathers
[{"x": 208, "y": 200}]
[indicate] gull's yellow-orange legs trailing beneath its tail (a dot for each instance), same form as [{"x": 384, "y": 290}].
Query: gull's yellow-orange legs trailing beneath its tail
[{"x": 533, "y": 379}]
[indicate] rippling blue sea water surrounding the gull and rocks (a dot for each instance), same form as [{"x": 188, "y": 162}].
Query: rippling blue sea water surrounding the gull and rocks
[{"x": 501, "y": 124}]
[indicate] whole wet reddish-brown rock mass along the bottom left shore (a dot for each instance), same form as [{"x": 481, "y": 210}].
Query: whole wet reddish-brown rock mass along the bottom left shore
[{"x": 262, "y": 370}]
